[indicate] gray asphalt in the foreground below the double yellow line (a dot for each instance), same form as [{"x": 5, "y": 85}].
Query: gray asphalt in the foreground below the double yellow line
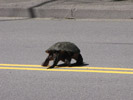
[{"x": 39, "y": 85}]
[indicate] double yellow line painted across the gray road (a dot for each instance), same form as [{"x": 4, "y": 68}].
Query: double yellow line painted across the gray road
[{"x": 68, "y": 69}]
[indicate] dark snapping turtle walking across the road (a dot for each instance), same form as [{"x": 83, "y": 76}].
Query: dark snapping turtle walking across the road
[{"x": 64, "y": 51}]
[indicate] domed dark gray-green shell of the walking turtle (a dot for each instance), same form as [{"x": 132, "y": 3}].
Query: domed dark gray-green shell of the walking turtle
[{"x": 64, "y": 46}]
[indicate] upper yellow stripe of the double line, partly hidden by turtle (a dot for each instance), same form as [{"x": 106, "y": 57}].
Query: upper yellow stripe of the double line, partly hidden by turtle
[{"x": 100, "y": 68}]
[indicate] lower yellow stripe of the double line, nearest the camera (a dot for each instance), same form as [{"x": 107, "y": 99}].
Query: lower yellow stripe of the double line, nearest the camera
[{"x": 67, "y": 70}]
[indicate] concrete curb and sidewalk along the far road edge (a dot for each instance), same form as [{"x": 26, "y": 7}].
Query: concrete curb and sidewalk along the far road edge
[{"x": 80, "y": 9}]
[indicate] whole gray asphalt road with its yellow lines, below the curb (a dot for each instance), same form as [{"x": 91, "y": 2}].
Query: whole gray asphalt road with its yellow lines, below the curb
[{"x": 106, "y": 46}]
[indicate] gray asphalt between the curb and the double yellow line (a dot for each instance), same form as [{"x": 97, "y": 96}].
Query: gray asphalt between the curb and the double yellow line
[{"x": 102, "y": 43}]
